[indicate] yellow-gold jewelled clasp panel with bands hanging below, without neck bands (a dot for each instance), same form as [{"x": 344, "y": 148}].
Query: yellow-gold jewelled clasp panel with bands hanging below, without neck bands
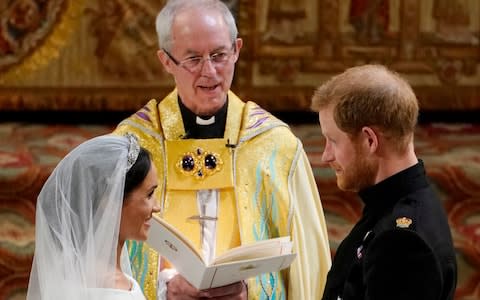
[{"x": 194, "y": 165}]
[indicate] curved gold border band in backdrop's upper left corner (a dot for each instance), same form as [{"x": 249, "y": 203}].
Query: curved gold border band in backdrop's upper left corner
[{"x": 51, "y": 46}]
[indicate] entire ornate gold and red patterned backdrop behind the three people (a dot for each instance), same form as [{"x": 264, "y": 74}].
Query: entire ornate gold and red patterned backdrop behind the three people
[{"x": 97, "y": 57}]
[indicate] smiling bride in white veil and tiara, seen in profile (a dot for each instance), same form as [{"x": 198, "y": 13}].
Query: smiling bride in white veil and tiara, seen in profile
[{"x": 99, "y": 196}]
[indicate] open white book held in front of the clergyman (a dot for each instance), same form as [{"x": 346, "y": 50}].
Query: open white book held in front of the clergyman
[{"x": 232, "y": 266}]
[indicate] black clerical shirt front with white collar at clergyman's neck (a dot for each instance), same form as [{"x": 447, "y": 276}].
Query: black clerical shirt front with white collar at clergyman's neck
[{"x": 201, "y": 127}]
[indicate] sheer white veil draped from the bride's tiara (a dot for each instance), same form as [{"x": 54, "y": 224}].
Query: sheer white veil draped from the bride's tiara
[{"x": 78, "y": 219}]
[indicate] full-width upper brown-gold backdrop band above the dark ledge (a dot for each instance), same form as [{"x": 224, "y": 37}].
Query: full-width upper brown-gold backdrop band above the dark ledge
[{"x": 100, "y": 55}]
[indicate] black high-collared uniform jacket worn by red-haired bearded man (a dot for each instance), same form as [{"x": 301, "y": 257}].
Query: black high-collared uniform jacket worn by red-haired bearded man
[{"x": 400, "y": 249}]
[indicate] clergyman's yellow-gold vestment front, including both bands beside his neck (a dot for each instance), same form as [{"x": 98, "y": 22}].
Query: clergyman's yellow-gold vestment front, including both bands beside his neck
[{"x": 180, "y": 199}]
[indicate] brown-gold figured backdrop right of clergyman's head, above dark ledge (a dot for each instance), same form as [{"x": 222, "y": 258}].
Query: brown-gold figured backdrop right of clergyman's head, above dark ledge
[{"x": 433, "y": 43}]
